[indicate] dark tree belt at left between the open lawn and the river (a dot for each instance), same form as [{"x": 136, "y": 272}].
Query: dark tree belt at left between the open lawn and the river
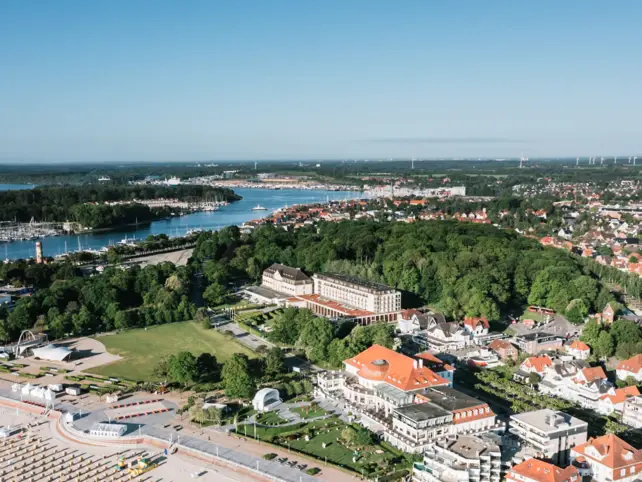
[{"x": 66, "y": 302}]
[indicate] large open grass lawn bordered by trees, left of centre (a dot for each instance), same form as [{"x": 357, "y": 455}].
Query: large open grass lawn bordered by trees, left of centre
[{"x": 142, "y": 349}]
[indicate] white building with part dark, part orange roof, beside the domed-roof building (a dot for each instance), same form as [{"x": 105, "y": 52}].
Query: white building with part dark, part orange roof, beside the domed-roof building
[{"x": 436, "y": 414}]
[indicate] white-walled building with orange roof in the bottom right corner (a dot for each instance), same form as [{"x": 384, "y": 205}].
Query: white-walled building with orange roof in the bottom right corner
[{"x": 608, "y": 459}]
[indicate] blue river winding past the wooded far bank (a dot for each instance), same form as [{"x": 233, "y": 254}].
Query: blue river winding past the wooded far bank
[{"x": 235, "y": 213}]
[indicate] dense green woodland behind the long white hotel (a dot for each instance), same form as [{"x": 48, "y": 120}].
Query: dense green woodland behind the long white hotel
[{"x": 460, "y": 269}]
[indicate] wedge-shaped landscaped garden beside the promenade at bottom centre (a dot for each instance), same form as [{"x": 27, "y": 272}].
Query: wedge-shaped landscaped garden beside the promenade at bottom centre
[{"x": 350, "y": 447}]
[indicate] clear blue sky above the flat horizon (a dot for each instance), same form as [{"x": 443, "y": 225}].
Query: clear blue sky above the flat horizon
[{"x": 198, "y": 80}]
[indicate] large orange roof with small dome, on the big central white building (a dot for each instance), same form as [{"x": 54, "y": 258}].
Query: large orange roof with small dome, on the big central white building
[{"x": 379, "y": 363}]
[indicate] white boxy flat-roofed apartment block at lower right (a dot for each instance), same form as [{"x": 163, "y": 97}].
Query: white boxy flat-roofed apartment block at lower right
[{"x": 549, "y": 434}]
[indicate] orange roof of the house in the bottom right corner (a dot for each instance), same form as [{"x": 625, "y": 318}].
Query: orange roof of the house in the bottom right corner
[{"x": 611, "y": 451}]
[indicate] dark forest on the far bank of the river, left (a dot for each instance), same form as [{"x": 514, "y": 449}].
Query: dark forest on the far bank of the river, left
[{"x": 70, "y": 203}]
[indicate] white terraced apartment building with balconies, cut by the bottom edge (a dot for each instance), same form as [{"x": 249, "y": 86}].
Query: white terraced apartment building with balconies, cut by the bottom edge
[{"x": 465, "y": 459}]
